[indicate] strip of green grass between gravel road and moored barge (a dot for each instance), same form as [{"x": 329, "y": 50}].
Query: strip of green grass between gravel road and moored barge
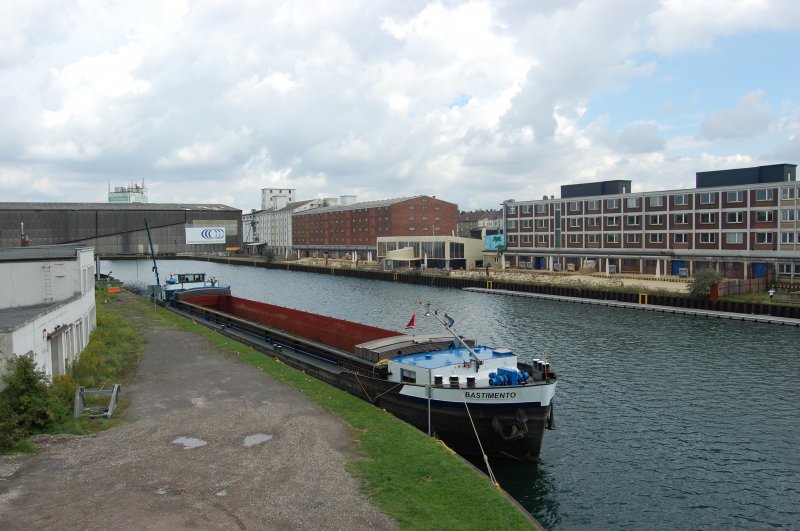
[{"x": 409, "y": 476}]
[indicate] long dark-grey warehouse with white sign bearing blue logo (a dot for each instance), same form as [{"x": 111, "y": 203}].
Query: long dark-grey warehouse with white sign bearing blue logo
[{"x": 114, "y": 229}]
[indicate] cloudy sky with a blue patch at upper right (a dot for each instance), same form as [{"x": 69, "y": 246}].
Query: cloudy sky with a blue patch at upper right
[{"x": 472, "y": 102}]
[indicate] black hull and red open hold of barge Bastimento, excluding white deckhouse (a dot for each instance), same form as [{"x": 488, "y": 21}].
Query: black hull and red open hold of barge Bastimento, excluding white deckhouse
[{"x": 503, "y": 429}]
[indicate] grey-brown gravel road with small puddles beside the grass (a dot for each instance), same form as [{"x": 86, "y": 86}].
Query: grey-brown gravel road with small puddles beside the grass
[{"x": 212, "y": 444}]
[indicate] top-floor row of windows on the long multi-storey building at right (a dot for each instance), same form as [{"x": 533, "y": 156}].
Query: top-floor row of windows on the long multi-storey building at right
[{"x": 656, "y": 201}]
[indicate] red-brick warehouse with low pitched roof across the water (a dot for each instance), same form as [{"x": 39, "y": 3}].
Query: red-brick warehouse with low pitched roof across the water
[{"x": 354, "y": 229}]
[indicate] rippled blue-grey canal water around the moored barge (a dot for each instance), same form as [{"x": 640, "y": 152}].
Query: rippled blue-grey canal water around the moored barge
[{"x": 664, "y": 421}]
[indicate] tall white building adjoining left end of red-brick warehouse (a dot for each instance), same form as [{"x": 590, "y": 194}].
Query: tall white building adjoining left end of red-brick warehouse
[{"x": 271, "y": 227}]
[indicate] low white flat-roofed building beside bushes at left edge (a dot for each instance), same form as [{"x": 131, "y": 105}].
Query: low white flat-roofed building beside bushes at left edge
[{"x": 47, "y": 304}]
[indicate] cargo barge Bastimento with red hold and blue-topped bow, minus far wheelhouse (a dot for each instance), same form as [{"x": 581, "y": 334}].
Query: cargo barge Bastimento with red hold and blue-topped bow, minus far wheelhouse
[{"x": 479, "y": 400}]
